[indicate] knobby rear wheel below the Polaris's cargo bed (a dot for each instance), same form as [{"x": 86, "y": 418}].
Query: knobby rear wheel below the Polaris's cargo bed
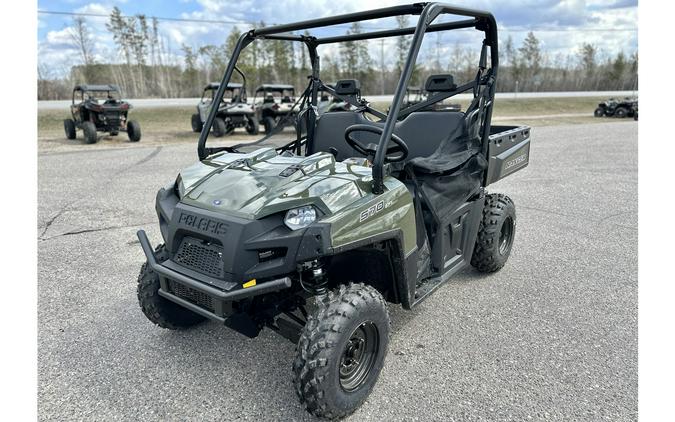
[{"x": 496, "y": 234}]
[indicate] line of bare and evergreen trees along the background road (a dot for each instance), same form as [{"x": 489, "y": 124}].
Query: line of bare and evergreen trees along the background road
[{"x": 147, "y": 67}]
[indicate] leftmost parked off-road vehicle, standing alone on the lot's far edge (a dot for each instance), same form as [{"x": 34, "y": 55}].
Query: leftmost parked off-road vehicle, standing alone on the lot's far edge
[{"x": 98, "y": 108}]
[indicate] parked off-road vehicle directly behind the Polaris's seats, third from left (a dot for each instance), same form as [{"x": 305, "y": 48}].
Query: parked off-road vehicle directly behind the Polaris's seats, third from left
[{"x": 274, "y": 105}]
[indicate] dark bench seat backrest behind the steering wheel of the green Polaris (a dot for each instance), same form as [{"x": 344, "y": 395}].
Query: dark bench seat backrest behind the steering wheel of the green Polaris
[{"x": 422, "y": 131}]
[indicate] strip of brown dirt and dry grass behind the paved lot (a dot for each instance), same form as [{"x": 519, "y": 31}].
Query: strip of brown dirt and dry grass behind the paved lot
[{"x": 171, "y": 125}]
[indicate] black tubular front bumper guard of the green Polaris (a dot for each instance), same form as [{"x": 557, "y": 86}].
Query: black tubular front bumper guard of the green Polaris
[{"x": 220, "y": 300}]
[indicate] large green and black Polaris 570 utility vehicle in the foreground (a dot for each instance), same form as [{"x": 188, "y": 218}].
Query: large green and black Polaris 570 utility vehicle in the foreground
[{"x": 313, "y": 237}]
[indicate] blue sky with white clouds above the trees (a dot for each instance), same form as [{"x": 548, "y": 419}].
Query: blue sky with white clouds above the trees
[{"x": 562, "y": 26}]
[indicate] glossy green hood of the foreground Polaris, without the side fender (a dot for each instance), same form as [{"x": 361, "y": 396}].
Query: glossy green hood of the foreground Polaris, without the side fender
[{"x": 261, "y": 183}]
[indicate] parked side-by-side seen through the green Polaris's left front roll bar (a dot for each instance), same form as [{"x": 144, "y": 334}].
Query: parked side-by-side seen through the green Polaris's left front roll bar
[{"x": 233, "y": 111}]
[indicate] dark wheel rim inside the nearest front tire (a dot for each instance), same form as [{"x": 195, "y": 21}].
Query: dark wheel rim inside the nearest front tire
[{"x": 358, "y": 356}]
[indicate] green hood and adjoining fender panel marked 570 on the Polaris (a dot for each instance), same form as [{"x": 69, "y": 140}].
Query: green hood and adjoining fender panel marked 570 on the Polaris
[{"x": 252, "y": 186}]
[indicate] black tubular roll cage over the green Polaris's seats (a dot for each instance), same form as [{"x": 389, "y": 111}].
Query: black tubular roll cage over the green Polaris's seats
[{"x": 427, "y": 12}]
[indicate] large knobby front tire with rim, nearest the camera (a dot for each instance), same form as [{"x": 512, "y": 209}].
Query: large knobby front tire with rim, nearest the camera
[{"x": 341, "y": 350}]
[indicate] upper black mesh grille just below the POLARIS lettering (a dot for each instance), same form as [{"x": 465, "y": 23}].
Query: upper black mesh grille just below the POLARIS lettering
[{"x": 201, "y": 256}]
